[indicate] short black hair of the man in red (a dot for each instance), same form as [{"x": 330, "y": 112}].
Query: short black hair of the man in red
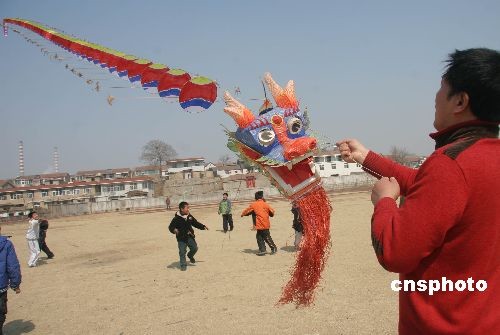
[{"x": 477, "y": 73}]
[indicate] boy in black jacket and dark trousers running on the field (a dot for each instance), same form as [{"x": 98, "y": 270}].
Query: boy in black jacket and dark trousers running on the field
[{"x": 182, "y": 226}]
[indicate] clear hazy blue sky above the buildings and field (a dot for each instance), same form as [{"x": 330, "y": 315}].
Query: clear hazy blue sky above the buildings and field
[{"x": 364, "y": 69}]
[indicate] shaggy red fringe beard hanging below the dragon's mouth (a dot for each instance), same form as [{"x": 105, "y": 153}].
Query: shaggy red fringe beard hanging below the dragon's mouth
[{"x": 314, "y": 210}]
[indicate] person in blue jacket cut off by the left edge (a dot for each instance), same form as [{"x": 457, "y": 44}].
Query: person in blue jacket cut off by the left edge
[{"x": 10, "y": 275}]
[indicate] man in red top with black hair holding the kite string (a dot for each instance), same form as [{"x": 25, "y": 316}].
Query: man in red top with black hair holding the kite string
[{"x": 446, "y": 236}]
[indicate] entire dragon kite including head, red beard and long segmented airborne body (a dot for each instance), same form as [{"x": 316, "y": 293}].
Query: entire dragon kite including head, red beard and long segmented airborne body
[{"x": 275, "y": 140}]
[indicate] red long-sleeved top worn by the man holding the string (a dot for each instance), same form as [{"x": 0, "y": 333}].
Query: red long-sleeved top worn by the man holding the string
[{"x": 449, "y": 226}]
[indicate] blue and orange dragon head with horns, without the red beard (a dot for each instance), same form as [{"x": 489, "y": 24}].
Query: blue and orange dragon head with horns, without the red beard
[{"x": 276, "y": 139}]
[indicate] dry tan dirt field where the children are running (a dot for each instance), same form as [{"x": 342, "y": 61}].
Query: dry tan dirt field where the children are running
[{"x": 118, "y": 273}]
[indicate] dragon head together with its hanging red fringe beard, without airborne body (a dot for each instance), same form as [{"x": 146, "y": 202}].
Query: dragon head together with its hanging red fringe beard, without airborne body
[{"x": 276, "y": 140}]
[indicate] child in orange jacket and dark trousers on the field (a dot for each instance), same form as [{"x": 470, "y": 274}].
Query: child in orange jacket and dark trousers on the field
[{"x": 262, "y": 211}]
